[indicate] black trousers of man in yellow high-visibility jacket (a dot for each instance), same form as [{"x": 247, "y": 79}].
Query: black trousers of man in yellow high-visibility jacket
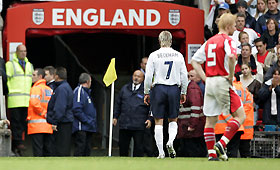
[{"x": 18, "y": 125}]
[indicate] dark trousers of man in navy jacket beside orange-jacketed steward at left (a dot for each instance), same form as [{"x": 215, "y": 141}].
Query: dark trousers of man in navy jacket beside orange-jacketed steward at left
[{"x": 63, "y": 139}]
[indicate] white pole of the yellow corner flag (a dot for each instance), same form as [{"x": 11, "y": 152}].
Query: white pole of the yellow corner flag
[{"x": 111, "y": 119}]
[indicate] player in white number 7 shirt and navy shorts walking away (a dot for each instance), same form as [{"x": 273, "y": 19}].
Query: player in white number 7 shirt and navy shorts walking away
[{"x": 167, "y": 67}]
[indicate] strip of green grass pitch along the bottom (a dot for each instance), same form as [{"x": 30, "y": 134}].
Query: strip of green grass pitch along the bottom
[{"x": 117, "y": 163}]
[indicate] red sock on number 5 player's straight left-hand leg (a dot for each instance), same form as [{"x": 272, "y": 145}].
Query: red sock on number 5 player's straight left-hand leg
[{"x": 210, "y": 140}]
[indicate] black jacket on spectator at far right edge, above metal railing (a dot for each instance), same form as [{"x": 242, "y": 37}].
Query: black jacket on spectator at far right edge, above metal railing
[{"x": 265, "y": 98}]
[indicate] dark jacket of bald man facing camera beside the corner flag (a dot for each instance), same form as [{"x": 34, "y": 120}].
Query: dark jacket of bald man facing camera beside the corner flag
[{"x": 130, "y": 109}]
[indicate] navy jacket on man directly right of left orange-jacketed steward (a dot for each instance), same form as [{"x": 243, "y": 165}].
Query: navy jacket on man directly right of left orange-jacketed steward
[{"x": 60, "y": 105}]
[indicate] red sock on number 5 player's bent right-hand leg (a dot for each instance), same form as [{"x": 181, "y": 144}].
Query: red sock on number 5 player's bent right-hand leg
[{"x": 231, "y": 129}]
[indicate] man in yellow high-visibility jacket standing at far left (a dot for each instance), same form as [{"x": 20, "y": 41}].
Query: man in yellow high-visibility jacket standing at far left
[{"x": 19, "y": 80}]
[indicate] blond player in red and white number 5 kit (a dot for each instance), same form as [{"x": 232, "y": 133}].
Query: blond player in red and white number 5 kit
[{"x": 219, "y": 54}]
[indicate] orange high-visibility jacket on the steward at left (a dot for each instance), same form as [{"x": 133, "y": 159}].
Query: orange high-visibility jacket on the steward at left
[{"x": 40, "y": 95}]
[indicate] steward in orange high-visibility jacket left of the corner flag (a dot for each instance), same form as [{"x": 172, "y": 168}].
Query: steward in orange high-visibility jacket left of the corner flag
[{"x": 38, "y": 128}]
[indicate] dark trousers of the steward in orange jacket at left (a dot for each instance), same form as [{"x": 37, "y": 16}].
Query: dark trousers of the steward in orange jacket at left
[{"x": 42, "y": 144}]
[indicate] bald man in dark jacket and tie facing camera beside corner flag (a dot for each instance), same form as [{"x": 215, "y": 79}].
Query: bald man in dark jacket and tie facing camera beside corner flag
[{"x": 132, "y": 115}]
